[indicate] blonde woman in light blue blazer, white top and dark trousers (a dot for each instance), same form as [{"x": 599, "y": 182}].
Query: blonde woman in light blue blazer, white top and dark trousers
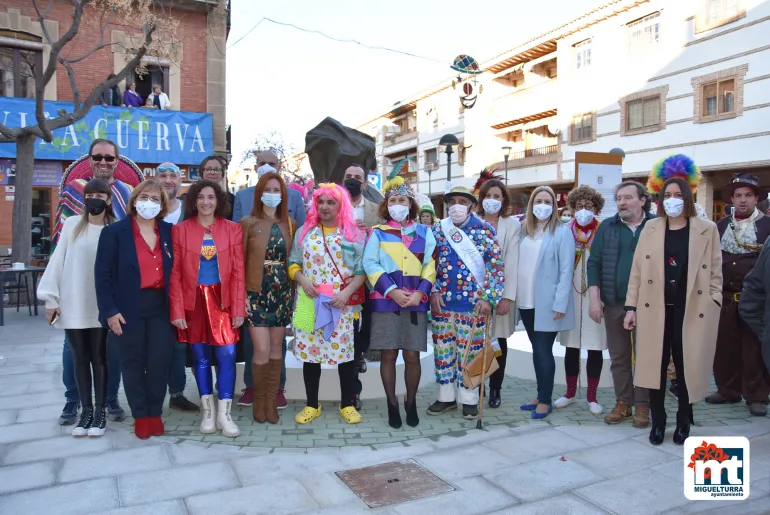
[{"x": 544, "y": 289}]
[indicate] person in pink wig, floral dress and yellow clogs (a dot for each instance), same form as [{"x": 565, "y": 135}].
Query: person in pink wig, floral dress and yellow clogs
[{"x": 326, "y": 262}]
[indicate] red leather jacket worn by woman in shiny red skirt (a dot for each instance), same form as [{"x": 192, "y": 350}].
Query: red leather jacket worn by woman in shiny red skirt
[{"x": 188, "y": 238}]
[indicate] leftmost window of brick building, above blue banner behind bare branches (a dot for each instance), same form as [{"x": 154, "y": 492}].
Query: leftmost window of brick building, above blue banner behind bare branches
[{"x": 20, "y": 67}]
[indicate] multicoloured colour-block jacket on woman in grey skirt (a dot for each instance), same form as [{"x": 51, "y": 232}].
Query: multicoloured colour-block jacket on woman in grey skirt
[{"x": 390, "y": 264}]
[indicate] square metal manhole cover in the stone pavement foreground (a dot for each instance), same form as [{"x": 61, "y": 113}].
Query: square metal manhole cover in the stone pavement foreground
[{"x": 393, "y": 482}]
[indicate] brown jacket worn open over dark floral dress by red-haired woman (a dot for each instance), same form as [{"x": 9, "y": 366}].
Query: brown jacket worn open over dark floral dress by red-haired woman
[{"x": 256, "y": 233}]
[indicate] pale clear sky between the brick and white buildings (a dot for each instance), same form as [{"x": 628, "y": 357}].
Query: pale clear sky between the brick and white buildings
[{"x": 280, "y": 79}]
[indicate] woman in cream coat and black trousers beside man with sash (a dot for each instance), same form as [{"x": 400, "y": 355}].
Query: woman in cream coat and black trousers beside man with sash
[{"x": 495, "y": 208}]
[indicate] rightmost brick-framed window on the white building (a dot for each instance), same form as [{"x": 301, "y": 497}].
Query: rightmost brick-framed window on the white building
[{"x": 719, "y": 95}]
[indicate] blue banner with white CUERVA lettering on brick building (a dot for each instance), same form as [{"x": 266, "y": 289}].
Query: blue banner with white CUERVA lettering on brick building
[{"x": 143, "y": 135}]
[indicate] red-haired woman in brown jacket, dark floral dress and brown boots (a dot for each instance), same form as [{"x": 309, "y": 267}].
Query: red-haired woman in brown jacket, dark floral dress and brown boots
[{"x": 267, "y": 238}]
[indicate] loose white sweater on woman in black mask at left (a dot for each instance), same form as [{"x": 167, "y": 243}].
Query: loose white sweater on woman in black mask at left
[{"x": 68, "y": 281}]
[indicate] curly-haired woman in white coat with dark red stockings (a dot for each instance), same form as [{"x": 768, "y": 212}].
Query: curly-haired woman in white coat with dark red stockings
[{"x": 585, "y": 203}]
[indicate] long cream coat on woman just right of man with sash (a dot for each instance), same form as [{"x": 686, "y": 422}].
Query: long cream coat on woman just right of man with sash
[{"x": 508, "y": 235}]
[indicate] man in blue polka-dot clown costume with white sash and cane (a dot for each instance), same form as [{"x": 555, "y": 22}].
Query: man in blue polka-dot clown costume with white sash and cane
[{"x": 469, "y": 284}]
